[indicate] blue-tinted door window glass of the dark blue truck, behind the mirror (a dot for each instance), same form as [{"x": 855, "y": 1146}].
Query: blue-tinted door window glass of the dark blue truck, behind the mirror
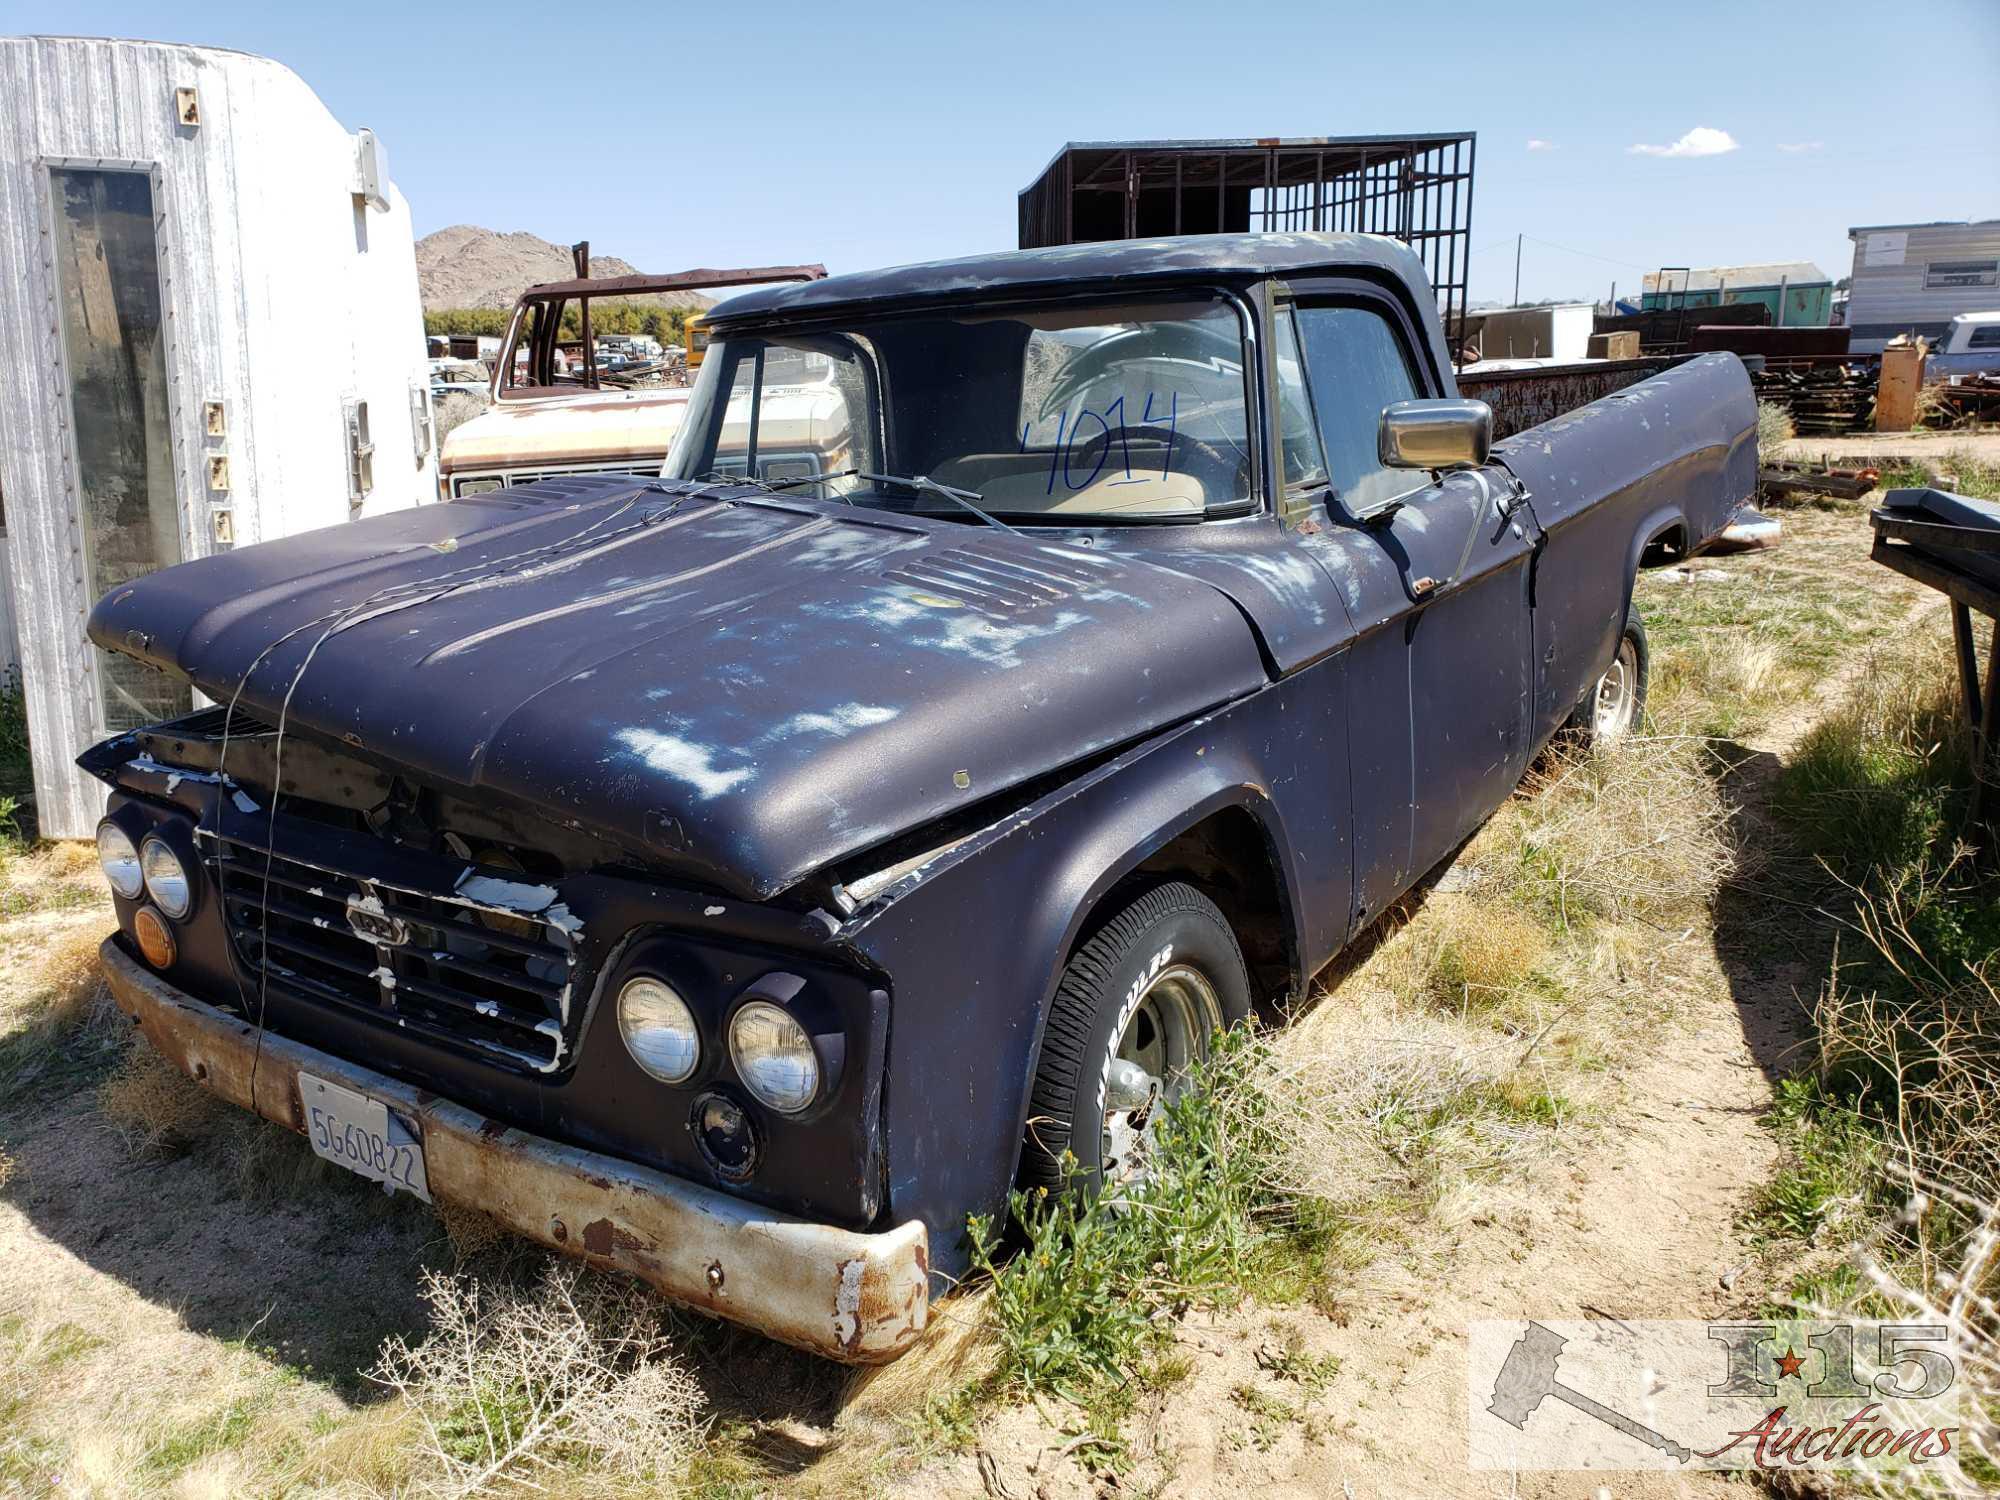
[{"x": 1357, "y": 365}]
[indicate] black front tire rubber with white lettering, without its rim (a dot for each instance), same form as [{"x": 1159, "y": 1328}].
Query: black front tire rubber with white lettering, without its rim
[{"x": 1115, "y": 983}]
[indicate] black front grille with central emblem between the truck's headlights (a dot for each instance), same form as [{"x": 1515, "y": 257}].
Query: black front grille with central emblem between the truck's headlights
[{"x": 475, "y": 979}]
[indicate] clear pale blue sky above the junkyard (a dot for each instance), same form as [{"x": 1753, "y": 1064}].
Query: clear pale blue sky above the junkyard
[{"x": 869, "y": 135}]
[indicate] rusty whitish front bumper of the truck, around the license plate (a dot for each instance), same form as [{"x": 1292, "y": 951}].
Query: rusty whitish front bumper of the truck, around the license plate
[{"x": 851, "y": 1297}]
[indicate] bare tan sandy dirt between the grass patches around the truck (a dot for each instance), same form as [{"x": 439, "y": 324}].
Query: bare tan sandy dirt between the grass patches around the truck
[{"x": 249, "y": 1265}]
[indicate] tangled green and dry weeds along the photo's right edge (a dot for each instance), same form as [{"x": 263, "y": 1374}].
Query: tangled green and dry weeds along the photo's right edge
[{"x": 1895, "y": 1133}]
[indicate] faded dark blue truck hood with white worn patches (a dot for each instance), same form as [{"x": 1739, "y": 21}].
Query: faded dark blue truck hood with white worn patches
[{"x": 747, "y": 687}]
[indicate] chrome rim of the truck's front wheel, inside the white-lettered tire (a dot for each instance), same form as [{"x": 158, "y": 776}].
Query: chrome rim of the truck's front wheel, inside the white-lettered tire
[{"x": 1165, "y": 1035}]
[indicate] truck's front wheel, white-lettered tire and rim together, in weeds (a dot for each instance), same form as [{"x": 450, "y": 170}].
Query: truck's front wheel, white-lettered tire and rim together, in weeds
[{"x": 1137, "y": 1009}]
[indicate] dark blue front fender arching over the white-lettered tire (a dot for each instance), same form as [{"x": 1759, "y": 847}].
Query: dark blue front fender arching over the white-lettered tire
[{"x": 975, "y": 941}]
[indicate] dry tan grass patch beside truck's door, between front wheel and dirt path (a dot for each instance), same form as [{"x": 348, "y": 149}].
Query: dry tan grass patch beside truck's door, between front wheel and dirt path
[{"x": 1487, "y": 1015}]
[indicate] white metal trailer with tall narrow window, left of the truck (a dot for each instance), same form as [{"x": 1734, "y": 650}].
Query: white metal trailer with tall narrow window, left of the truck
[{"x": 209, "y": 337}]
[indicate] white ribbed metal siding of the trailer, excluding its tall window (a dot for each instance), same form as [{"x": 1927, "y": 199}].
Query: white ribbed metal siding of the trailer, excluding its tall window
[{"x": 281, "y": 299}]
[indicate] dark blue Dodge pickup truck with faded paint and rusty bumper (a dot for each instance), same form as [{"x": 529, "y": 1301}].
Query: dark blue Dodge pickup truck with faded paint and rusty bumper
[{"x": 1023, "y": 669}]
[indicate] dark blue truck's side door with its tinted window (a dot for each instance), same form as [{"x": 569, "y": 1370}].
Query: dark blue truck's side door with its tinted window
[{"x": 1435, "y": 573}]
